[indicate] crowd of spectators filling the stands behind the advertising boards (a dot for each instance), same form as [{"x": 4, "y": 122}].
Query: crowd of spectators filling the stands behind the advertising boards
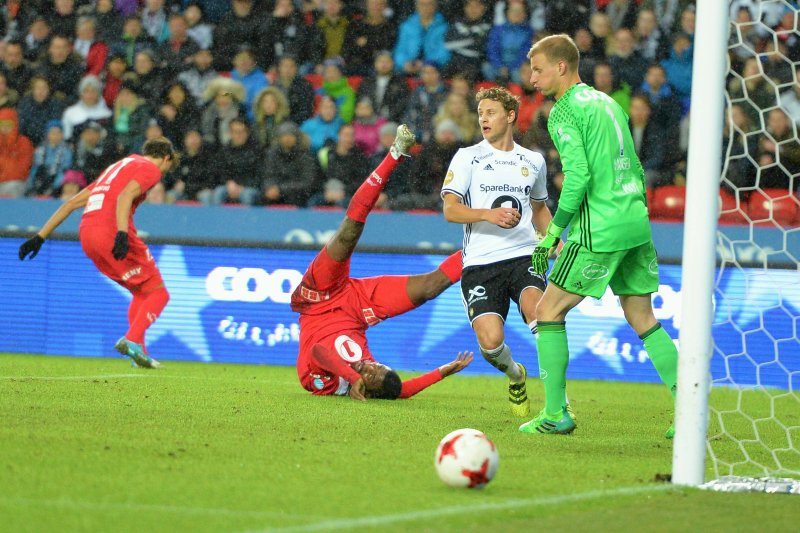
[{"x": 276, "y": 102}]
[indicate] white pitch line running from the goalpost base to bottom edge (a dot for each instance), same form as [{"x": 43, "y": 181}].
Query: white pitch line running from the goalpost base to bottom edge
[{"x": 372, "y": 521}]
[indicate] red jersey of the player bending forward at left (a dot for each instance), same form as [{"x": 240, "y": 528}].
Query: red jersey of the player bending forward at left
[{"x": 101, "y": 208}]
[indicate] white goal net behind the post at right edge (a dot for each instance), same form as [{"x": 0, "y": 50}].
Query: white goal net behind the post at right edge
[{"x": 754, "y": 405}]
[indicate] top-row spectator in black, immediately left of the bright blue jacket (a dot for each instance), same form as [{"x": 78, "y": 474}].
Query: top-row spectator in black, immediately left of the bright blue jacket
[{"x": 365, "y": 36}]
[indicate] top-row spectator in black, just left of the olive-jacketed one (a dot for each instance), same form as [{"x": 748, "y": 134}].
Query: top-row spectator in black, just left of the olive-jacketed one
[{"x": 288, "y": 35}]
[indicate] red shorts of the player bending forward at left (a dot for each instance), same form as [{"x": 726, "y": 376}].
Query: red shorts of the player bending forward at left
[{"x": 132, "y": 272}]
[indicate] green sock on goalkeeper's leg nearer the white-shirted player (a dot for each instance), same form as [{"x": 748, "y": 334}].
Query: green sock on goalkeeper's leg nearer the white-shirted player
[{"x": 553, "y": 358}]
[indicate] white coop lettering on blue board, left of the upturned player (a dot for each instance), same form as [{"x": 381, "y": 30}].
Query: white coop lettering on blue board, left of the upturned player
[{"x": 231, "y": 284}]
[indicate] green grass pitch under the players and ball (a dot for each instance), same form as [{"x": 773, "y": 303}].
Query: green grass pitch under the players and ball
[{"x": 94, "y": 445}]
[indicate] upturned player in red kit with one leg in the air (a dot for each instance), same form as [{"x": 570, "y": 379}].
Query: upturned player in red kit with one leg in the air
[{"x": 336, "y": 310}]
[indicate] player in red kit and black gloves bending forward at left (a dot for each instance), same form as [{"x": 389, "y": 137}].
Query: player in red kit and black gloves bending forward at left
[{"x": 108, "y": 237}]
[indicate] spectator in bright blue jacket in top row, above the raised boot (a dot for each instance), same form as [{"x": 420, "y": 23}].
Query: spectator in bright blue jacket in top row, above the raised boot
[{"x": 421, "y": 40}]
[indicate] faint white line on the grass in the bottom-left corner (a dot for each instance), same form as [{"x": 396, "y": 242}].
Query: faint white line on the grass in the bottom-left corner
[{"x": 142, "y": 507}]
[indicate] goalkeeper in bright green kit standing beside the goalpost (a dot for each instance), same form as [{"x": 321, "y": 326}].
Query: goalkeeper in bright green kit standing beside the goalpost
[{"x": 609, "y": 243}]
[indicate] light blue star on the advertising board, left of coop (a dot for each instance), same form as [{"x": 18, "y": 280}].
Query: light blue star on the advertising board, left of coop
[{"x": 188, "y": 297}]
